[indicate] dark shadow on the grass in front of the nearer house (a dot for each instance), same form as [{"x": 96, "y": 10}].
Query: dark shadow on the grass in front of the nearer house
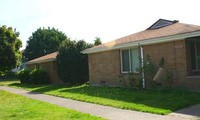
[{"x": 159, "y": 98}]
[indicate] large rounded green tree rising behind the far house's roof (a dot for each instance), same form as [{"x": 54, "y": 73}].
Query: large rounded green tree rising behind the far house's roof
[{"x": 43, "y": 41}]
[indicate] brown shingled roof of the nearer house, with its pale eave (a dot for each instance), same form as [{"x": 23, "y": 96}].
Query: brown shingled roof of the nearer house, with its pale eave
[{"x": 166, "y": 33}]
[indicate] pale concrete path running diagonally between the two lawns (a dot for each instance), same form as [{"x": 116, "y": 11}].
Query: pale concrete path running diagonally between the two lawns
[{"x": 105, "y": 111}]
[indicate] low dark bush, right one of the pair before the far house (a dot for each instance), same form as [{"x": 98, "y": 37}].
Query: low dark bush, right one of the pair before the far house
[{"x": 39, "y": 76}]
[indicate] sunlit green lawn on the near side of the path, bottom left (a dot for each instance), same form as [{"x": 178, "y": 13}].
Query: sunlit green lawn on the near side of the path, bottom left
[{"x": 16, "y": 107}]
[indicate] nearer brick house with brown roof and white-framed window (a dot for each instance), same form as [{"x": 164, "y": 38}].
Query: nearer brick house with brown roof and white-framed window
[{"x": 178, "y": 43}]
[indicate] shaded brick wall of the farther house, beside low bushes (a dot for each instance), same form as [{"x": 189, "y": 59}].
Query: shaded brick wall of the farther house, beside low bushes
[{"x": 51, "y": 69}]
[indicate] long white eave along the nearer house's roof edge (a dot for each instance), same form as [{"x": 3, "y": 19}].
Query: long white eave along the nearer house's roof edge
[{"x": 144, "y": 42}]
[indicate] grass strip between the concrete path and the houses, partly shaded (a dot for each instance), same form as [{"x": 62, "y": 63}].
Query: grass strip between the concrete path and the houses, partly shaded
[{"x": 158, "y": 101}]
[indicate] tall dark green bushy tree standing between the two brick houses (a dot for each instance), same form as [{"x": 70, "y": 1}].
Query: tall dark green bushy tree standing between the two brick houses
[{"x": 72, "y": 64}]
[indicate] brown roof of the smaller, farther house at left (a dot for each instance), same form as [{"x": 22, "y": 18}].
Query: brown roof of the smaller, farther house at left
[{"x": 45, "y": 58}]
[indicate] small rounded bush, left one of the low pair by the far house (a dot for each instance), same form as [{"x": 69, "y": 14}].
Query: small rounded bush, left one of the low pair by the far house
[{"x": 24, "y": 76}]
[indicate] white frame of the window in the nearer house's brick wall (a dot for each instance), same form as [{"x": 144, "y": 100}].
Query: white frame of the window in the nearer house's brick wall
[{"x": 130, "y": 62}]
